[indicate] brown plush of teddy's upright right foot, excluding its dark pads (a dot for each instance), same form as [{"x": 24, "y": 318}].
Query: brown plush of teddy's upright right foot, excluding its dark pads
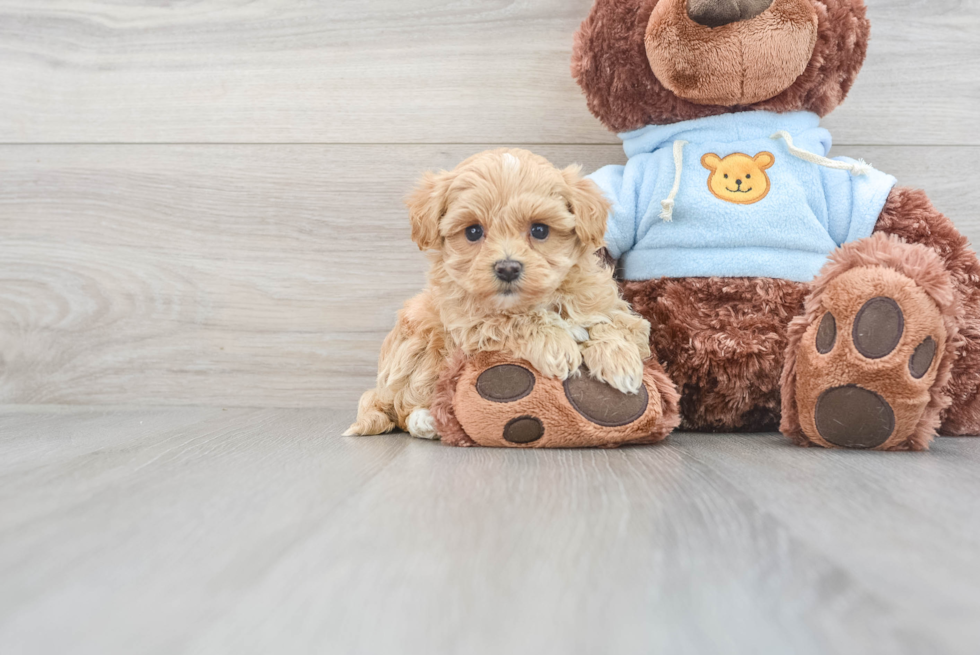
[{"x": 914, "y": 276}]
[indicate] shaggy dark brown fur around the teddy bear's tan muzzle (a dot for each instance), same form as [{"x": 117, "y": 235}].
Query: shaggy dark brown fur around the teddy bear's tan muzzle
[{"x": 611, "y": 64}]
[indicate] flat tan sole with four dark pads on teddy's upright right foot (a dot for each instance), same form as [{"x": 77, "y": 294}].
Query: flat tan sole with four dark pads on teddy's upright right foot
[{"x": 865, "y": 369}]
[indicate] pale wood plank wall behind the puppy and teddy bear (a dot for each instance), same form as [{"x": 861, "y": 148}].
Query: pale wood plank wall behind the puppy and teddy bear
[{"x": 200, "y": 202}]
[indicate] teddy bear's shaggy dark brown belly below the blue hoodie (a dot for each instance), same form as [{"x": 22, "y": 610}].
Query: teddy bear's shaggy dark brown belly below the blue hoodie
[{"x": 722, "y": 342}]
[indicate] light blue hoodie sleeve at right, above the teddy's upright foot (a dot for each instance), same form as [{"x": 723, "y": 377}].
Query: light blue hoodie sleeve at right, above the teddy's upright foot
[{"x": 854, "y": 202}]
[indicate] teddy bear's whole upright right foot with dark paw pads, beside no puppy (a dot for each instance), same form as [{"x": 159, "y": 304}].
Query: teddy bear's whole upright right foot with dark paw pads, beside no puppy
[{"x": 870, "y": 353}]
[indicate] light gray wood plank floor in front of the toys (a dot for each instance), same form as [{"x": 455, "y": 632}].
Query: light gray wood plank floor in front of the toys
[{"x": 203, "y": 530}]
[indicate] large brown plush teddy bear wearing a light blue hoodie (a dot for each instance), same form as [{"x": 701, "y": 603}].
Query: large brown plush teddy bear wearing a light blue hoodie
[{"x": 785, "y": 289}]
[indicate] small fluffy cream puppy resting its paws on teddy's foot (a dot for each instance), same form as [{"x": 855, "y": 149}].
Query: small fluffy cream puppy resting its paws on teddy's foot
[{"x": 513, "y": 244}]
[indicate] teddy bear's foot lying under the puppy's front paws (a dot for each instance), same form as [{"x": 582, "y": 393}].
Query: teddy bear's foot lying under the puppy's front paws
[{"x": 494, "y": 400}]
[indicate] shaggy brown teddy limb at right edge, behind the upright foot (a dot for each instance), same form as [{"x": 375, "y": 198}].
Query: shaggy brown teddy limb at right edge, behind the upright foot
[{"x": 910, "y": 215}]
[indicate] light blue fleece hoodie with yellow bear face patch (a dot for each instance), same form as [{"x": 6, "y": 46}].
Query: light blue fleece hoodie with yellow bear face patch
[{"x": 728, "y": 196}]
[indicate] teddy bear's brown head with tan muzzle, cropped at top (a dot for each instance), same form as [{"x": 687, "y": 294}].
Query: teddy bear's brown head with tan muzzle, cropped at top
[{"x": 643, "y": 62}]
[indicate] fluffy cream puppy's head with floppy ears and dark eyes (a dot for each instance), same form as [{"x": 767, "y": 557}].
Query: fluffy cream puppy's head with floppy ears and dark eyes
[{"x": 508, "y": 226}]
